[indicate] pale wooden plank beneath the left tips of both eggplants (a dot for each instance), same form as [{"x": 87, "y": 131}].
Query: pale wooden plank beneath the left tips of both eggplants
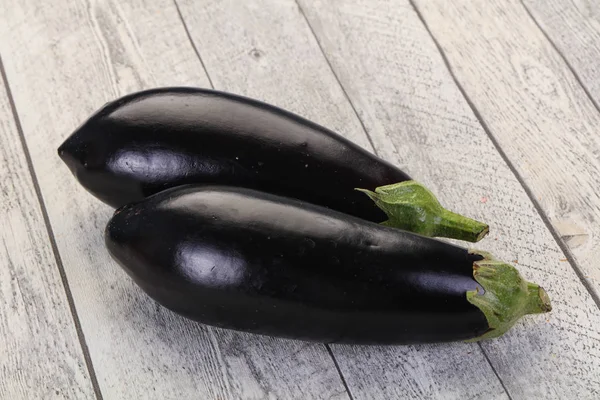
[{"x": 64, "y": 60}]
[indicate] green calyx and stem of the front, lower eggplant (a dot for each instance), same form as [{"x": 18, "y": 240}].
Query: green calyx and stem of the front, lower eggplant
[{"x": 506, "y": 297}]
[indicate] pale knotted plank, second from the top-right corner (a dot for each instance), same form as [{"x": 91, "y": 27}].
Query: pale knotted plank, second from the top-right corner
[{"x": 537, "y": 111}]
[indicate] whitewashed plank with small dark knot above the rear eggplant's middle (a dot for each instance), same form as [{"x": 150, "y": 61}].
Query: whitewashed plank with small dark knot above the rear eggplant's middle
[{"x": 265, "y": 49}]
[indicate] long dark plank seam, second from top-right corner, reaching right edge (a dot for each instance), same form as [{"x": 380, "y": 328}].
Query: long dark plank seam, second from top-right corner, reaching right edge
[{"x": 562, "y": 245}]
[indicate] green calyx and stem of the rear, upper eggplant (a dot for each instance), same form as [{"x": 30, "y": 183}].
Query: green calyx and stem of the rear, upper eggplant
[{"x": 412, "y": 207}]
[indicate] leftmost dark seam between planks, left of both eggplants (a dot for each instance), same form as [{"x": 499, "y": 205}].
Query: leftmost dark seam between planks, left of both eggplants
[{"x": 51, "y": 239}]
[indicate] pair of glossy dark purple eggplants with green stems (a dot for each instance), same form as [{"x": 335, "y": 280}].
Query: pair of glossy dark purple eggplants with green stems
[{"x": 237, "y": 214}]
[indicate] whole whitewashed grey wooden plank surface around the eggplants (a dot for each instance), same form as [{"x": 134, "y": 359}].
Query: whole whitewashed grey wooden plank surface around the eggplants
[{"x": 492, "y": 103}]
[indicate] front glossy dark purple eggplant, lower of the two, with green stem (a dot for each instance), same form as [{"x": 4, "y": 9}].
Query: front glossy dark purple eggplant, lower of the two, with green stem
[{"x": 255, "y": 262}]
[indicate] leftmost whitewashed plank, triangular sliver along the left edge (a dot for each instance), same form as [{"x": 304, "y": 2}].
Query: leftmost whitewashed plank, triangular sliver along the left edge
[{"x": 40, "y": 355}]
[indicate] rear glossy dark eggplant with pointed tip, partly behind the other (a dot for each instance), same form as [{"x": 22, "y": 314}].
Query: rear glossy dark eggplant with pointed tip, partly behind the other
[{"x": 152, "y": 140}]
